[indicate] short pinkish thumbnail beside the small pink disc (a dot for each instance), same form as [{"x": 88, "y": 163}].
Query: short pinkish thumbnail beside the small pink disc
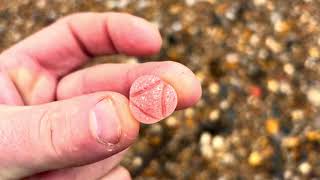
[{"x": 105, "y": 122}]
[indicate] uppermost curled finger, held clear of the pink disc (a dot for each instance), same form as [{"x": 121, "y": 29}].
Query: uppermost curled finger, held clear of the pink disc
[{"x": 71, "y": 41}]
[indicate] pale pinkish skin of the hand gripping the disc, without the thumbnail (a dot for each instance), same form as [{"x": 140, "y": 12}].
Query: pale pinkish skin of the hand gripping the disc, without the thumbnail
[{"x": 46, "y": 99}]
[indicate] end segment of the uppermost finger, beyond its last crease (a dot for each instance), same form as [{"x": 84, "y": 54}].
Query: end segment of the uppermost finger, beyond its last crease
[{"x": 133, "y": 35}]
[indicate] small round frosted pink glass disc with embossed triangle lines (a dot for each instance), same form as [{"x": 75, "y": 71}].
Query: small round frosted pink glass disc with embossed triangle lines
[{"x": 152, "y": 99}]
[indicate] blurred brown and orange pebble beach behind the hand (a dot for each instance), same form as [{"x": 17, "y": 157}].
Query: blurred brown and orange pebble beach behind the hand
[{"x": 259, "y": 64}]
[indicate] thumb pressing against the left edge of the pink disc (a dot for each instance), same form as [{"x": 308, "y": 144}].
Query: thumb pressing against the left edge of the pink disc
[{"x": 63, "y": 134}]
